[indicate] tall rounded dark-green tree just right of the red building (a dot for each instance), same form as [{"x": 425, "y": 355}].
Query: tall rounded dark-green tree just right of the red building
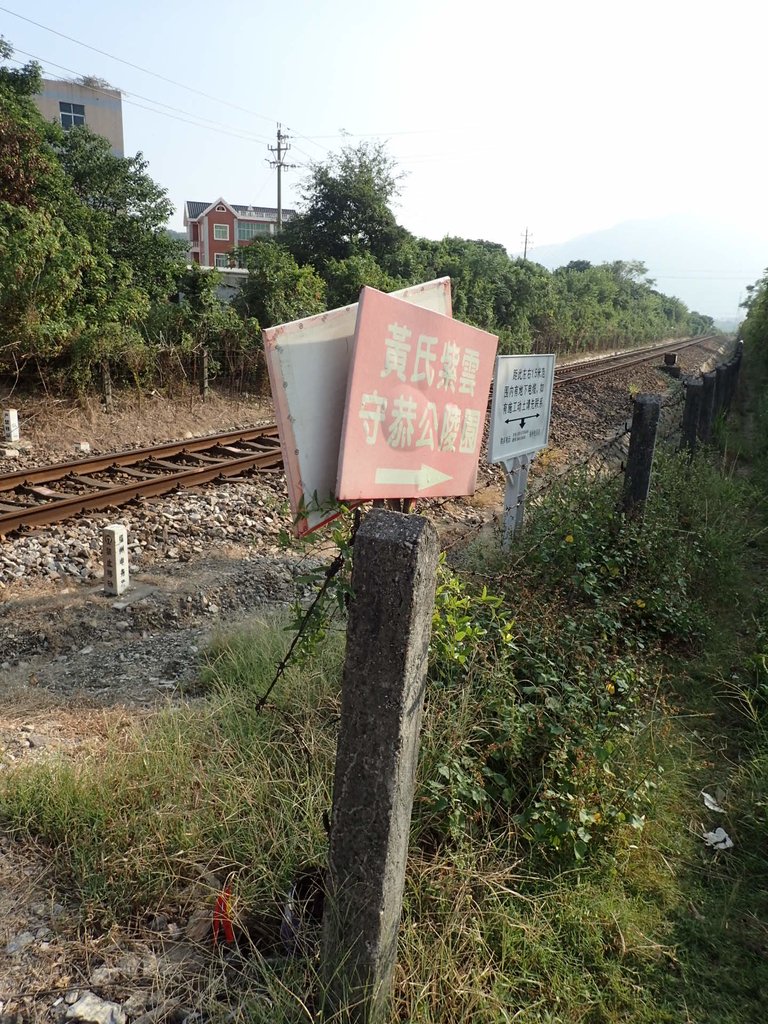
[{"x": 346, "y": 208}]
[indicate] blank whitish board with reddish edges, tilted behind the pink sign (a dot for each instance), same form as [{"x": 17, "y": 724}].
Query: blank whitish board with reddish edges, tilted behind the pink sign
[{"x": 309, "y": 363}]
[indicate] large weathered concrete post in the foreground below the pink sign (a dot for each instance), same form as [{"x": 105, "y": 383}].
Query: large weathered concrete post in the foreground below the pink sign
[{"x": 391, "y": 618}]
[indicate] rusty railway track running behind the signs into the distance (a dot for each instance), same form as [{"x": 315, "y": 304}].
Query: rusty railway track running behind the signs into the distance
[{"x": 41, "y": 496}]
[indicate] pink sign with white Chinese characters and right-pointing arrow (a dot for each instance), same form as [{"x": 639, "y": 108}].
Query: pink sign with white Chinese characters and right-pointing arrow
[{"x": 416, "y": 403}]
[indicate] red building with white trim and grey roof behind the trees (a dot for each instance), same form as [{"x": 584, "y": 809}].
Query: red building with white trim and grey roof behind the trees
[{"x": 214, "y": 230}]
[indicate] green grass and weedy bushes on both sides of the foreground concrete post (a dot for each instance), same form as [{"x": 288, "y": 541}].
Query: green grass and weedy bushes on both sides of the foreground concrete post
[{"x": 588, "y": 840}]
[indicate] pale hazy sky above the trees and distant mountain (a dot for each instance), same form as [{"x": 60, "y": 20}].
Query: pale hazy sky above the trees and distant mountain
[{"x": 559, "y": 116}]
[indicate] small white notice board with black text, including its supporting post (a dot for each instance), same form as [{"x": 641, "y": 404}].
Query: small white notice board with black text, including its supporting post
[{"x": 520, "y": 426}]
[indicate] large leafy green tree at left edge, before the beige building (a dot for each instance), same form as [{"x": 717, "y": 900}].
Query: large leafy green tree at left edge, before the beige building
[{"x": 83, "y": 251}]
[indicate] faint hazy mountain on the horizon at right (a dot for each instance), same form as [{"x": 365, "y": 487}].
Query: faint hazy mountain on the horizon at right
[{"x": 706, "y": 265}]
